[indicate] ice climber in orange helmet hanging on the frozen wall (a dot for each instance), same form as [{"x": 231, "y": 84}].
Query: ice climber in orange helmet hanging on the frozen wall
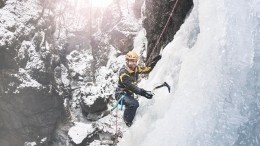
[{"x": 128, "y": 77}]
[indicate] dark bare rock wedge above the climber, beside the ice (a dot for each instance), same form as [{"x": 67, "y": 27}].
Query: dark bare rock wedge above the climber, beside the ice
[{"x": 156, "y": 15}]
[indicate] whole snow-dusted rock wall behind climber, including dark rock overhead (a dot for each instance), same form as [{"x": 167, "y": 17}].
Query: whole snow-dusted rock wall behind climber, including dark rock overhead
[{"x": 51, "y": 50}]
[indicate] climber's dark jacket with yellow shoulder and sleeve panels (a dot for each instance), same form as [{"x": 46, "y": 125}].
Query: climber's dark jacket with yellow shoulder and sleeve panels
[{"x": 128, "y": 79}]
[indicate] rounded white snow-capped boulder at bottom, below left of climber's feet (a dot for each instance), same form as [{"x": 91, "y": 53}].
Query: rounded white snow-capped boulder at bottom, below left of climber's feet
[{"x": 80, "y": 131}]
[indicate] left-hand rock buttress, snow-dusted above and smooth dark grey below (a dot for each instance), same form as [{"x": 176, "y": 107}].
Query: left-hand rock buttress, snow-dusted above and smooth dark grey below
[{"x": 30, "y": 106}]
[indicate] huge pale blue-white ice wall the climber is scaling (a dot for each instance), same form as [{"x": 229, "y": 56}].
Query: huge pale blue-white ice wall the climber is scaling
[{"x": 213, "y": 70}]
